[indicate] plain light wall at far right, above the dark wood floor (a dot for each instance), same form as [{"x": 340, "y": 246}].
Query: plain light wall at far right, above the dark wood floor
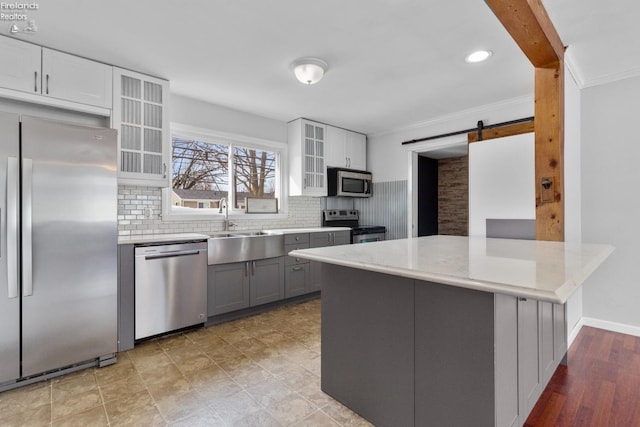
[{"x": 611, "y": 202}]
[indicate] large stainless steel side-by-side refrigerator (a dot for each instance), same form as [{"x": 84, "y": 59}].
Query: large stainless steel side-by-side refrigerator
[{"x": 58, "y": 246}]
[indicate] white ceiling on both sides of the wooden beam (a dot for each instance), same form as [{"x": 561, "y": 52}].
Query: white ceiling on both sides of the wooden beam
[{"x": 392, "y": 63}]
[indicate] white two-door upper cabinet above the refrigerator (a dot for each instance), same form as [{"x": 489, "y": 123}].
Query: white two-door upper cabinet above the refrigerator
[{"x": 40, "y": 71}]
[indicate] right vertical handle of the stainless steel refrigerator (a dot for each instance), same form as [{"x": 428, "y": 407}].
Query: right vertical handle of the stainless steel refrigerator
[{"x": 27, "y": 187}]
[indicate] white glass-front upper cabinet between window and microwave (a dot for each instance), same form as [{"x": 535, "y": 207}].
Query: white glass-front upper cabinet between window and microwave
[{"x": 307, "y": 170}]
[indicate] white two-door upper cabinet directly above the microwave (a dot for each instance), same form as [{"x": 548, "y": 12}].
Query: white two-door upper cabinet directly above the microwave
[{"x": 346, "y": 149}]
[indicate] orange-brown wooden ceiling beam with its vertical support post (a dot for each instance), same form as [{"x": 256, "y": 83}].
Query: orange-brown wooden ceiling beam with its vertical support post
[{"x": 529, "y": 25}]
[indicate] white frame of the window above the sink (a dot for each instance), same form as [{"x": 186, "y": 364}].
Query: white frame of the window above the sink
[{"x": 169, "y": 212}]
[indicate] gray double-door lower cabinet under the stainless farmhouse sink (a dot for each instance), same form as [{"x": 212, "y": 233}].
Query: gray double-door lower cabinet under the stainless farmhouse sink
[{"x": 239, "y": 285}]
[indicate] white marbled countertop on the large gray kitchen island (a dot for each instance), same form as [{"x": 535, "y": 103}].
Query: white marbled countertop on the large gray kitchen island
[{"x": 548, "y": 271}]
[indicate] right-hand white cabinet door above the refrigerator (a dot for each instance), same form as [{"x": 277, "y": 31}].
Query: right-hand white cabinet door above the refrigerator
[{"x": 76, "y": 79}]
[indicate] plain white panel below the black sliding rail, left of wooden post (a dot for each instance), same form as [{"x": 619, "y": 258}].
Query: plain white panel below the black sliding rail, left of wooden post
[{"x": 501, "y": 181}]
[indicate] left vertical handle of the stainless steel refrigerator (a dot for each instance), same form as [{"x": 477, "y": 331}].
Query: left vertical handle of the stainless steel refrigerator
[{"x": 12, "y": 226}]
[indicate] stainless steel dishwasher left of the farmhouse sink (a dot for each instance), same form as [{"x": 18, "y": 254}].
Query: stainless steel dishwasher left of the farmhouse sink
[{"x": 170, "y": 287}]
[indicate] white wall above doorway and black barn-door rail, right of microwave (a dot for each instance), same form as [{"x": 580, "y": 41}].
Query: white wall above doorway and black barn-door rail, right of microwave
[{"x": 387, "y": 159}]
